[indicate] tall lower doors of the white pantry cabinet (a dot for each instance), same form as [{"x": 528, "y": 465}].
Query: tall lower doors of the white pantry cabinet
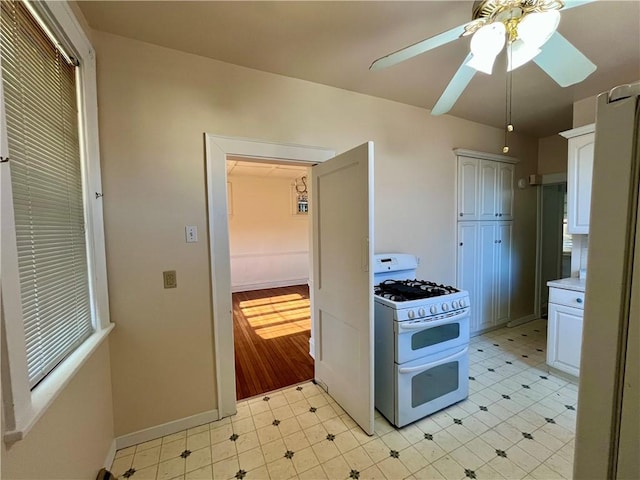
[{"x": 484, "y": 270}]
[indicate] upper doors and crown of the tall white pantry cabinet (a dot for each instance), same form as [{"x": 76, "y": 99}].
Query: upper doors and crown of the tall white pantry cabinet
[{"x": 485, "y": 186}]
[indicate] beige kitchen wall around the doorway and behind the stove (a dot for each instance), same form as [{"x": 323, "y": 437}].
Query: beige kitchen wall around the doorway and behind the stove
[{"x": 155, "y": 104}]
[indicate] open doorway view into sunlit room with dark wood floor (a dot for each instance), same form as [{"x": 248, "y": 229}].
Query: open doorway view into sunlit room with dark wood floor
[{"x": 269, "y": 256}]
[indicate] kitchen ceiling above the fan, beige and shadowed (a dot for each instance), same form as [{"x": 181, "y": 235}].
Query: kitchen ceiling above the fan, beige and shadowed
[{"x": 333, "y": 43}]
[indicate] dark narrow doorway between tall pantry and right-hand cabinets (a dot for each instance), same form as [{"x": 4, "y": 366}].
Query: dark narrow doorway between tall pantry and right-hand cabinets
[{"x": 555, "y": 241}]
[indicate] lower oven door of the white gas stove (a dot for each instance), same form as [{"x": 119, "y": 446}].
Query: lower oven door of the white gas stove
[{"x": 432, "y": 383}]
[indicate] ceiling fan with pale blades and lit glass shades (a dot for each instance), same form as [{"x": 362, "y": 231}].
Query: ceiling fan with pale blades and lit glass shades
[{"x": 528, "y": 27}]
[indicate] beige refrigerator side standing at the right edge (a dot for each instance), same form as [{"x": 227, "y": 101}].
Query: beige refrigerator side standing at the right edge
[{"x": 608, "y": 421}]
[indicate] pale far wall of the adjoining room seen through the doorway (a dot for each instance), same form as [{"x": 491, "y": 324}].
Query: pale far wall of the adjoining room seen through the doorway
[{"x": 269, "y": 244}]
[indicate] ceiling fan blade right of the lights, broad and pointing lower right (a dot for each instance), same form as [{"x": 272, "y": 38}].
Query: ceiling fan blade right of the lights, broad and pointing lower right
[{"x": 563, "y": 62}]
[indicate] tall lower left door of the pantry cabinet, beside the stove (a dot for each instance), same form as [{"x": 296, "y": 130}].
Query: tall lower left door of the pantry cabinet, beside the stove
[{"x": 467, "y": 273}]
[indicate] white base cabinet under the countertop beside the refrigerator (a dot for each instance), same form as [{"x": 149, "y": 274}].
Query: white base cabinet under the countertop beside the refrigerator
[{"x": 564, "y": 333}]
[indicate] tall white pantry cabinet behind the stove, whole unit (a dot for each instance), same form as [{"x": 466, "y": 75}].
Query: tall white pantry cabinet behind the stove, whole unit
[{"x": 485, "y": 214}]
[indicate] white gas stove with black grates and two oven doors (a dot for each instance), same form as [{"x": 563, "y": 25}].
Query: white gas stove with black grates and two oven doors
[{"x": 421, "y": 341}]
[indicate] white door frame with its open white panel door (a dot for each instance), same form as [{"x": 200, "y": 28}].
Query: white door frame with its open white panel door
[{"x": 340, "y": 283}]
